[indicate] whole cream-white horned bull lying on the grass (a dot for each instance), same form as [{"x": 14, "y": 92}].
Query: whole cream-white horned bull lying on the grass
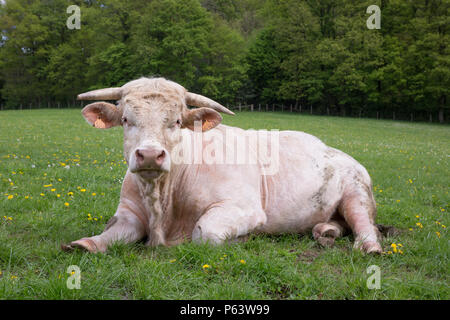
[{"x": 314, "y": 187}]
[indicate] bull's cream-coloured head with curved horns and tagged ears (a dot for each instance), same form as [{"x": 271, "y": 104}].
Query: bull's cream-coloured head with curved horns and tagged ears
[{"x": 152, "y": 113}]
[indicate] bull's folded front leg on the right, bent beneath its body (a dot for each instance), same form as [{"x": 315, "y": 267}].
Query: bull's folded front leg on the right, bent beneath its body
[{"x": 227, "y": 222}]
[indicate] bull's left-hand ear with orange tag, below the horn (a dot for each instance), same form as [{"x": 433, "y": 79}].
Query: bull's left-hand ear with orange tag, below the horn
[{"x": 102, "y": 115}]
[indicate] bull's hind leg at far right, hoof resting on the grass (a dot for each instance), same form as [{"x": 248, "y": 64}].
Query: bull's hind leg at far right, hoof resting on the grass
[{"x": 359, "y": 211}]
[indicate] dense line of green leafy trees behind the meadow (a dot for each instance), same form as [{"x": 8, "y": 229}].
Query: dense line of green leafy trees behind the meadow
[{"x": 312, "y": 54}]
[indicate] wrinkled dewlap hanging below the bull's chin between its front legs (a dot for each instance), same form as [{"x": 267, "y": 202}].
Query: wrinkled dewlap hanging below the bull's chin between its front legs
[{"x": 156, "y": 201}]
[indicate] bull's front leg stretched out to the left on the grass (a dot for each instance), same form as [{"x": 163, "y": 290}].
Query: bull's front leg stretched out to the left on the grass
[{"x": 123, "y": 226}]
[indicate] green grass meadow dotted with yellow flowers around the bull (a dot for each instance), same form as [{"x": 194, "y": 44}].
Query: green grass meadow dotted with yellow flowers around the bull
[{"x": 409, "y": 164}]
